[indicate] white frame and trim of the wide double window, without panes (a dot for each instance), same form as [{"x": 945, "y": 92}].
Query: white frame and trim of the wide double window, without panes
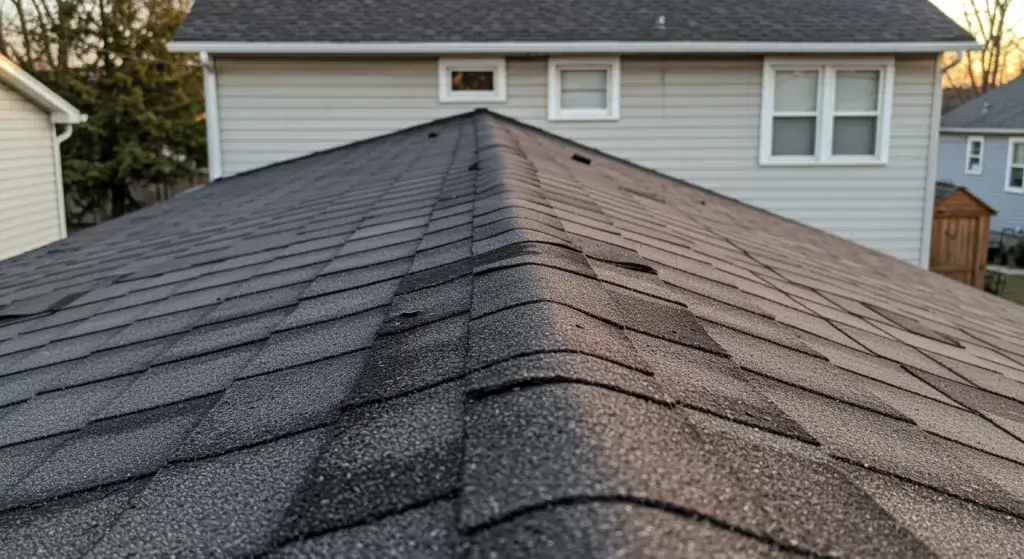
[{"x": 827, "y": 69}]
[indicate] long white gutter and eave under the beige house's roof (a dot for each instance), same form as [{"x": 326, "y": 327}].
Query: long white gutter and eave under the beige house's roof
[{"x": 590, "y": 48}]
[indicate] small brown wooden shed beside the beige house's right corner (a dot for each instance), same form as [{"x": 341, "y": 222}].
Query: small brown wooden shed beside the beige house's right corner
[{"x": 960, "y": 235}]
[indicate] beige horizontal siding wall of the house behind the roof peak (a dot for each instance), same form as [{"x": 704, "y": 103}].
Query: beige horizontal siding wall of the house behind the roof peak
[{"x": 698, "y": 119}]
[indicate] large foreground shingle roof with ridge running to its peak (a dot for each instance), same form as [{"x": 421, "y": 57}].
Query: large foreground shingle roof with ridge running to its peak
[{"x": 472, "y": 336}]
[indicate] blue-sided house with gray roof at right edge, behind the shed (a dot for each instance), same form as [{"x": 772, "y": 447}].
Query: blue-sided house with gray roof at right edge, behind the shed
[{"x": 984, "y": 150}]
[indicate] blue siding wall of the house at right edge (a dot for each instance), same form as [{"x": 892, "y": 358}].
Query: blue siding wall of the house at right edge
[{"x": 991, "y": 185}]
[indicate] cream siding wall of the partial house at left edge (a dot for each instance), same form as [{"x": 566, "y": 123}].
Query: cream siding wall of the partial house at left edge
[{"x": 30, "y": 214}]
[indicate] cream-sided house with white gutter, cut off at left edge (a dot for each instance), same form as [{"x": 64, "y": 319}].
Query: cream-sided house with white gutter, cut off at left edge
[{"x": 32, "y": 201}]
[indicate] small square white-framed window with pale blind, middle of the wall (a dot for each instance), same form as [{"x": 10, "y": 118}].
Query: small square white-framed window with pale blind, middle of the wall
[{"x": 583, "y": 89}]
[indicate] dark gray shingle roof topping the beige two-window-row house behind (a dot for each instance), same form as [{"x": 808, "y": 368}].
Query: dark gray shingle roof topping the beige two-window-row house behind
[{"x": 562, "y": 21}]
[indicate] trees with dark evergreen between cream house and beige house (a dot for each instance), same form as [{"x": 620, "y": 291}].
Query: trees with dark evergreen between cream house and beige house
[{"x": 110, "y": 59}]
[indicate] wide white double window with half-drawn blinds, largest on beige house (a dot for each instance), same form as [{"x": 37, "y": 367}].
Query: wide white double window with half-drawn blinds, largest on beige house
[{"x": 834, "y": 112}]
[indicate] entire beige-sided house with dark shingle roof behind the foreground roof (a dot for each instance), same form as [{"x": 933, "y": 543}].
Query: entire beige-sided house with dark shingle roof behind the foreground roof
[{"x": 825, "y": 112}]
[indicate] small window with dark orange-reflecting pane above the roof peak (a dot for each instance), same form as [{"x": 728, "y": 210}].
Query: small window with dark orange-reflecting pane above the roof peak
[{"x": 472, "y": 80}]
